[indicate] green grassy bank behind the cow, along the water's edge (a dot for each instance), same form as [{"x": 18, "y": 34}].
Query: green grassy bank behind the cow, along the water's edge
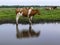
[{"x": 7, "y": 15}]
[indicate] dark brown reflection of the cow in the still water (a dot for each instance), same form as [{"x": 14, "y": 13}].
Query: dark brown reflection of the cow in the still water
[{"x": 26, "y": 33}]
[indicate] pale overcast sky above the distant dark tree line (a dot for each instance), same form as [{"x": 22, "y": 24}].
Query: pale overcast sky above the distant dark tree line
[{"x": 30, "y": 2}]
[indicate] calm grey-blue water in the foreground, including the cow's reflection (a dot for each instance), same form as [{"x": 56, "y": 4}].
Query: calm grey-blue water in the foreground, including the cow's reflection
[{"x": 37, "y": 34}]
